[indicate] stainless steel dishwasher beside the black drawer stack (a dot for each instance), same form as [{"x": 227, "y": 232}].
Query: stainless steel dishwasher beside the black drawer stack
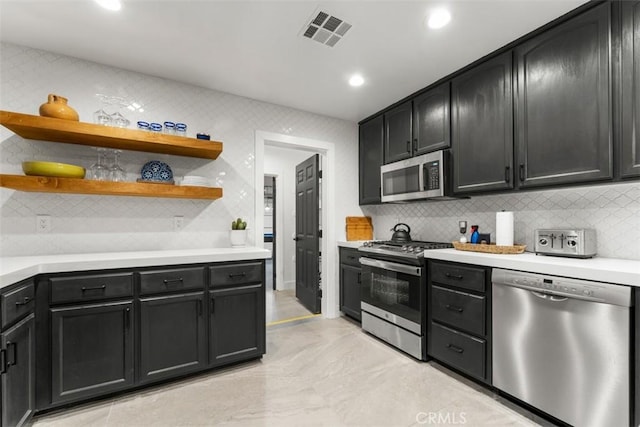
[{"x": 562, "y": 346}]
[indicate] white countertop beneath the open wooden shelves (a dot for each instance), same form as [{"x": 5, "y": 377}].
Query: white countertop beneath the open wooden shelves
[{"x": 15, "y": 269}]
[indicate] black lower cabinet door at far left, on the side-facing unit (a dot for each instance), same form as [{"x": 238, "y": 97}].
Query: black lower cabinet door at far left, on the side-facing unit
[{"x": 17, "y": 370}]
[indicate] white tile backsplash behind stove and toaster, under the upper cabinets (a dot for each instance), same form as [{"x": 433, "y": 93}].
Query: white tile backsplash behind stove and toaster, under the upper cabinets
[{"x": 613, "y": 210}]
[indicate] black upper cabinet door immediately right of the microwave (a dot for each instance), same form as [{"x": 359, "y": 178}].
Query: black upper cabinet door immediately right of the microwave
[{"x": 482, "y": 127}]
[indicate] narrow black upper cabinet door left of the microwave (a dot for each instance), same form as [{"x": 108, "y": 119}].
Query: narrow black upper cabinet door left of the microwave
[{"x": 370, "y": 159}]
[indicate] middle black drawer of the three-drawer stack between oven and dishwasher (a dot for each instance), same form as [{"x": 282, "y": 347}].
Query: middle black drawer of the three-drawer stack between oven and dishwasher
[{"x": 459, "y": 309}]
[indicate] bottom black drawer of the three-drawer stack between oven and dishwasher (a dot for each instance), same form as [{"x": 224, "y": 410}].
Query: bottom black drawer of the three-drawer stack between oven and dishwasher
[{"x": 458, "y": 350}]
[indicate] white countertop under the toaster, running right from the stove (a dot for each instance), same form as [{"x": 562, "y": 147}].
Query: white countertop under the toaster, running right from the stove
[{"x": 611, "y": 270}]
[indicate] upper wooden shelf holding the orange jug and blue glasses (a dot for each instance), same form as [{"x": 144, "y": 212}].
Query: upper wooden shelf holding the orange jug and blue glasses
[{"x": 58, "y": 130}]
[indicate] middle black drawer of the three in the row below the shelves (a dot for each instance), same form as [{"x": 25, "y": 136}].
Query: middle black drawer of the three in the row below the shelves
[{"x": 171, "y": 279}]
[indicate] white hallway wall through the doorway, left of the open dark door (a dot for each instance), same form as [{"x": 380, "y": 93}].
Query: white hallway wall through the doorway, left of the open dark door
[{"x": 282, "y": 163}]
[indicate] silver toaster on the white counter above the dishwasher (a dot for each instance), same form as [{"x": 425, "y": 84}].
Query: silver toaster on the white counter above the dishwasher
[{"x": 577, "y": 243}]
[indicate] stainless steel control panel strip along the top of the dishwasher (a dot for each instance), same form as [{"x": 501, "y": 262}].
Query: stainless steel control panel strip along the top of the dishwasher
[{"x": 564, "y": 286}]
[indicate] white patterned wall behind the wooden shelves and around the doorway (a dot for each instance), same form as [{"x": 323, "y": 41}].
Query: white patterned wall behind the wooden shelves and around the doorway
[{"x": 82, "y": 223}]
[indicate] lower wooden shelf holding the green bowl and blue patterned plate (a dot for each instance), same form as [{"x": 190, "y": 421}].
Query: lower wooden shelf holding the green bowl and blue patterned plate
[{"x": 43, "y": 184}]
